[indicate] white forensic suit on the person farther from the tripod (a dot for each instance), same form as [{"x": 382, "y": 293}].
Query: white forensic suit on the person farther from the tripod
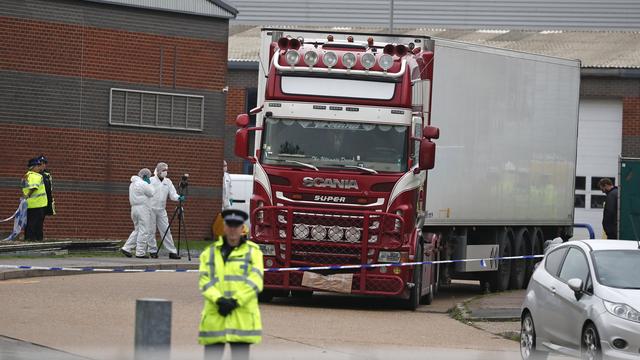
[{"x": 140, "y": 194}]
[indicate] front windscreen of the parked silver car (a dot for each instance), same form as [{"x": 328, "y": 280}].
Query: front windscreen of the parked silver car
[{"x": 617, "y": 268}]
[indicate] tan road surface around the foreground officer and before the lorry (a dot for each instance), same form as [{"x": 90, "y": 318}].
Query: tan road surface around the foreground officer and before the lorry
[{"x": 93, "y": 316}]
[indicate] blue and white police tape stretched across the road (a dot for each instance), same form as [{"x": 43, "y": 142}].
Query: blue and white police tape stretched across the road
[{"x": 483, "y": 263}]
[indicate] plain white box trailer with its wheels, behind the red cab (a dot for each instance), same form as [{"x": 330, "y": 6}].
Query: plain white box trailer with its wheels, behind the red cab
[{"x": 506, "y": 159}]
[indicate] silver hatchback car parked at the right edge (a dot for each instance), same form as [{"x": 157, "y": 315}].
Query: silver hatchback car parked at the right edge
[{"x": 583, "y": 300}]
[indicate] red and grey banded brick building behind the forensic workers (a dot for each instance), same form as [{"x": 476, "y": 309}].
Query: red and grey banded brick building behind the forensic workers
[{"x": 104, "y": 88}]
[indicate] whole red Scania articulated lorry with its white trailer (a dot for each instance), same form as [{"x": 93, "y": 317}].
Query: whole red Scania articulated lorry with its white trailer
[{"x": 346, "y": 170}]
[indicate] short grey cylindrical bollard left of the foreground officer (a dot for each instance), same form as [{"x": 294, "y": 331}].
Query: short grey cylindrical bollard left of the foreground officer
[{"x": 153, "y": 329}]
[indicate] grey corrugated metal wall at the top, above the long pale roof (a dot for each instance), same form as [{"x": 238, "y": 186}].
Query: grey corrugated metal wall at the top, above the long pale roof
[{"x": 486, "y": 14}]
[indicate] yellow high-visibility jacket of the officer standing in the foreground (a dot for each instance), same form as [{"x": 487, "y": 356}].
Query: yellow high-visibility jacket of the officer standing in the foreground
[{"x": 241, "y": 278}]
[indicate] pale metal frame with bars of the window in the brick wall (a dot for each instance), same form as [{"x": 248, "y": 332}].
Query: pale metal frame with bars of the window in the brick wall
[{"x": 157, "y": 95}]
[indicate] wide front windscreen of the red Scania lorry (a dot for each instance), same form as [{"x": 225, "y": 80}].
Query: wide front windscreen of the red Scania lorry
[{"x": 335, "y": 144}]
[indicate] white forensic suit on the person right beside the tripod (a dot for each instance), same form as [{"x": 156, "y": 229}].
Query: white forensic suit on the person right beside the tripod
[{"x": 163, "y": 189}]
